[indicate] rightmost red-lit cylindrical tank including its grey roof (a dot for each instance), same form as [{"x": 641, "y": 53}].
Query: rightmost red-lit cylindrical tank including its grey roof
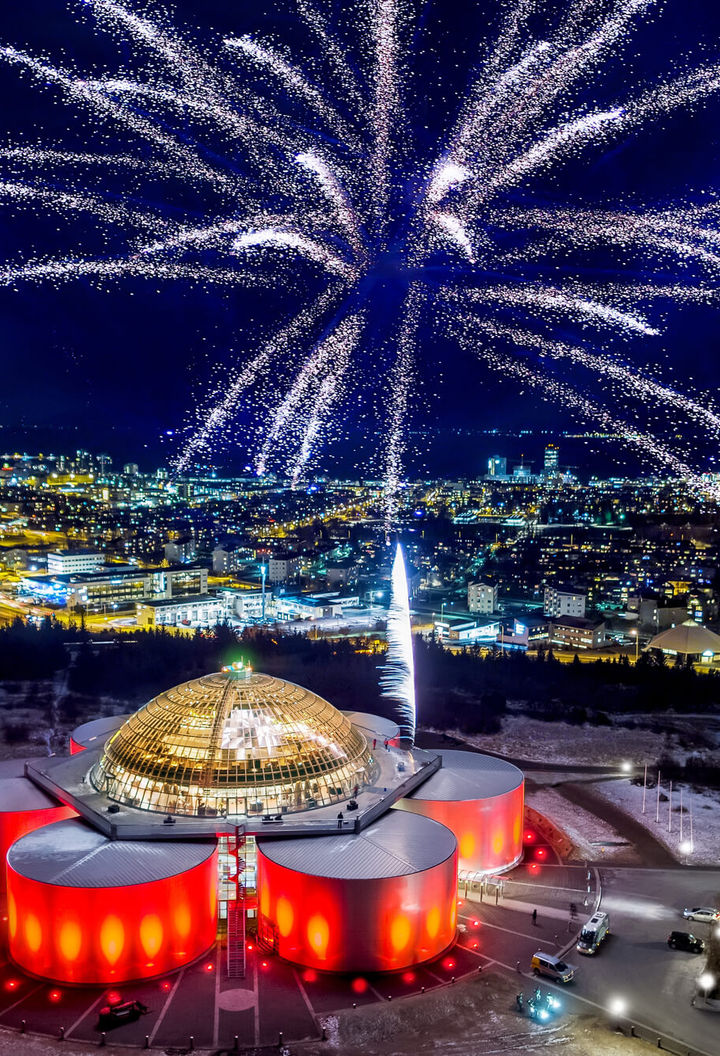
[{"x": 481, "y": 800}]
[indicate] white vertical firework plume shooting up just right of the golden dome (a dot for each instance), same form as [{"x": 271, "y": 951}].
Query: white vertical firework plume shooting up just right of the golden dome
[{"x": 397, "y": 676}]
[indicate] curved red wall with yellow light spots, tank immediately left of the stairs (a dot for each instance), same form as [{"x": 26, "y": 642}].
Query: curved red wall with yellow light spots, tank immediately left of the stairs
[{"x": 102, "y": 935}]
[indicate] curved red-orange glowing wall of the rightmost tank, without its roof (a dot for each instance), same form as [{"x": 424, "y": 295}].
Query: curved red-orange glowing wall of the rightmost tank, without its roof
[{"x": 489, "y": 833}]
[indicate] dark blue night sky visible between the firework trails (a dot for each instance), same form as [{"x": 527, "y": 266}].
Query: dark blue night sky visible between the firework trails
[{"x": 119, "y": 367}]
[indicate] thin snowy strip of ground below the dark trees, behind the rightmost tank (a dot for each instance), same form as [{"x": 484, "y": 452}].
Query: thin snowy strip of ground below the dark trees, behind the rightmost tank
[{"x": 525, "y": 739}]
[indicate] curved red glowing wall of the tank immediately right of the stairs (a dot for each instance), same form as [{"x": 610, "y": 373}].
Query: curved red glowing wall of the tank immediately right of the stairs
[{"x": 359, "y": 926}]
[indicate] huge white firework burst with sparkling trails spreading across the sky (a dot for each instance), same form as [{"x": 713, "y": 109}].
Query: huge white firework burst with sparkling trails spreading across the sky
[{"x": 312, "y": 183}]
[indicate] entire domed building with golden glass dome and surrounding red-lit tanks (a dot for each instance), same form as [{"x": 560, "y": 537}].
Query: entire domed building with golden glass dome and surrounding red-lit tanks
[{"x": 240, "y": 798}]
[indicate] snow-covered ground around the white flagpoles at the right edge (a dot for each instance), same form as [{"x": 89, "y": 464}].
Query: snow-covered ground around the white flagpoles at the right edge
[{"x": 704, "y": 808}]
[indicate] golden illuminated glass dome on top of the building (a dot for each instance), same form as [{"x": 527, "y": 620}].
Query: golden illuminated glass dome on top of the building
[{"x": 235, "y": 743}]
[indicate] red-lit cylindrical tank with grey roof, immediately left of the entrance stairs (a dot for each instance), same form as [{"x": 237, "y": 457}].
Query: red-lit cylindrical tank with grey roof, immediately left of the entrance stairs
[{"x": 85, "y": 910}]
